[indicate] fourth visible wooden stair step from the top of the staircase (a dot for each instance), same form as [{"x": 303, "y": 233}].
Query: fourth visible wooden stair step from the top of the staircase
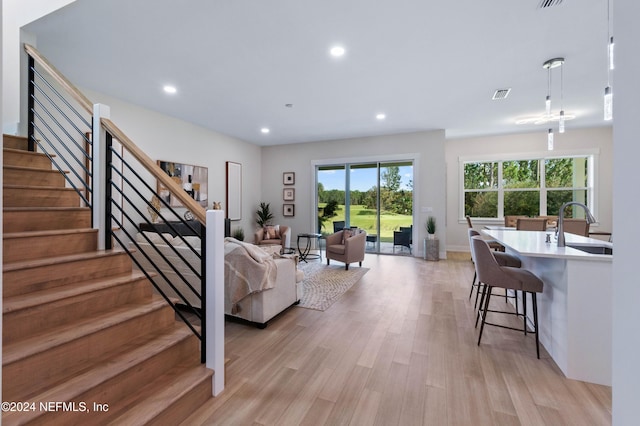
[{"x": 39, "y": 196}]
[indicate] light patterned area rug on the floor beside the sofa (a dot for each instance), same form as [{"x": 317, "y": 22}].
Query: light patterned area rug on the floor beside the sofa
[{"x": 324, "y": 284}]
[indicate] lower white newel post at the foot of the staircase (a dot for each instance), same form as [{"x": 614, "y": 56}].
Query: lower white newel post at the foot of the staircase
[{"x": 215, "y": 297}]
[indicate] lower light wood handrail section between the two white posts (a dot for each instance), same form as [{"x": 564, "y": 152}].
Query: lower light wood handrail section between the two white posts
[{"x": 151, "y": 166}]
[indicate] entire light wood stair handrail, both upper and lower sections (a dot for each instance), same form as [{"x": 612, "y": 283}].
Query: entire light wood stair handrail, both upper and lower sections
[{"x": 188, "y": 202}]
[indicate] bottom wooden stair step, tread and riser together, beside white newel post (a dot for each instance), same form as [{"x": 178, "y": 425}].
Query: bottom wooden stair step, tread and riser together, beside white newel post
[{"x": 169, "y": 399}]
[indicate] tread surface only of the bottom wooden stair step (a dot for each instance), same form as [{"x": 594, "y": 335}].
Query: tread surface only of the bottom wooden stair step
[{"x": 153, "y": 399}]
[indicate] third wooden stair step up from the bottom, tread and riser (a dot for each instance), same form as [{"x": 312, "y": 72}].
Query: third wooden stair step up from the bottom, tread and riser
[{"x": 37, "y": 362}]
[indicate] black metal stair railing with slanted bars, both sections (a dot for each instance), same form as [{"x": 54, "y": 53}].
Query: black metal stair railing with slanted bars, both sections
[{"x": 60, "y": 126}]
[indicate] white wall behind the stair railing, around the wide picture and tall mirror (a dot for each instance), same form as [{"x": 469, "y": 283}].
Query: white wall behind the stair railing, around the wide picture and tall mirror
[{"x": 171, "y": 139}]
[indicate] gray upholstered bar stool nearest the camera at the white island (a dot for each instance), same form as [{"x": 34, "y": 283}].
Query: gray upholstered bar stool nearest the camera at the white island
[{"x": 493, "y": 275}]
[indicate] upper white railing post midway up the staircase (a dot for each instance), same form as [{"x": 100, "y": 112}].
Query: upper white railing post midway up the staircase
[{"x": 98, "y": 180}]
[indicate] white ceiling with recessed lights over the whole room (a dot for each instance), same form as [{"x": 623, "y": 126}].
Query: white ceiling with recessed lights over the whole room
[{"x": 426, "y": 64}]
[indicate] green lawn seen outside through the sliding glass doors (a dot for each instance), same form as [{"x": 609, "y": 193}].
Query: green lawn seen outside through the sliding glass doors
[{"x": 366, "y": 219}]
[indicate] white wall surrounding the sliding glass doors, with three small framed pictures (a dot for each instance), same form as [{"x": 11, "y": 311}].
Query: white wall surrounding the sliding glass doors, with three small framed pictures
[{"x": 427, "y": 148}]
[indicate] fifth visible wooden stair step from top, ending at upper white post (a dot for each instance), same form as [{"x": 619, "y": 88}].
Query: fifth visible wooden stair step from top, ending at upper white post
[{"x": 22, "y": 219}]
